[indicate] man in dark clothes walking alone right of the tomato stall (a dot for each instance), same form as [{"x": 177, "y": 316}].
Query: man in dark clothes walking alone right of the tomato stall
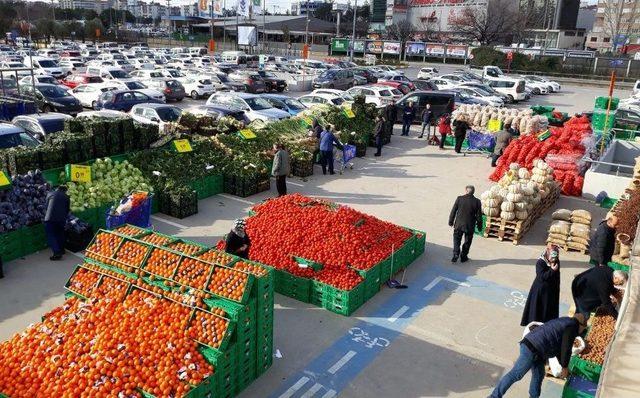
[{"x": 465, "y": 215}]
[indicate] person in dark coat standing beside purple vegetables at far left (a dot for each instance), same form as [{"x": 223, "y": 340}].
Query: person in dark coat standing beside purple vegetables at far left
[{"x": 58, "y": 205}]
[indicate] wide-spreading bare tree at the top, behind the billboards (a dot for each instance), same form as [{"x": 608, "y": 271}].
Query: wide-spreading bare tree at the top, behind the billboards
[{"x": 490, "y": 25}]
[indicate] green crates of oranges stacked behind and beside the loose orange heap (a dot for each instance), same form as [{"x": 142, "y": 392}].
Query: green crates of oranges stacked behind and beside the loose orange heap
[{"x": 234, "y": 294}]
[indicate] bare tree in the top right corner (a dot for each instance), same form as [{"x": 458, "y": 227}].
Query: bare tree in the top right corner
[{"x": 619, "y": 18}]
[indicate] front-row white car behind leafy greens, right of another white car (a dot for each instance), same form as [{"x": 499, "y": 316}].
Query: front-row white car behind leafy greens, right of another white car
[{"x": 255, "y": 107}]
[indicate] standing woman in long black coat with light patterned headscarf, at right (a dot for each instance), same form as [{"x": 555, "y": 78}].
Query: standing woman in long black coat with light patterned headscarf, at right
[{"x": 544, "y": 296}]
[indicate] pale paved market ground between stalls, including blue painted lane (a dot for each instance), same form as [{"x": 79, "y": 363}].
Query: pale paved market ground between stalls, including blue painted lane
[{"x": 451, "y": 334}]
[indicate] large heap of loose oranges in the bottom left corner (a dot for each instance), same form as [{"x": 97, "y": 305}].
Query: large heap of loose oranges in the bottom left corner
[{"x": 106, "y": 348}]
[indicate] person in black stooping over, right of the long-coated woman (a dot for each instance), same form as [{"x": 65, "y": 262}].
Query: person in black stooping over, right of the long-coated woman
[{"x": 593, "y": 288}]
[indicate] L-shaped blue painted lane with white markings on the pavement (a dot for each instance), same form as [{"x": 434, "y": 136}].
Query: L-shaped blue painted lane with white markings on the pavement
[{"x": 355, "y": 350}]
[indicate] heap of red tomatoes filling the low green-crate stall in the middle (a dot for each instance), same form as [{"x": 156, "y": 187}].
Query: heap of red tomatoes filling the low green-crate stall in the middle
[{"x": 338, "y": 237}]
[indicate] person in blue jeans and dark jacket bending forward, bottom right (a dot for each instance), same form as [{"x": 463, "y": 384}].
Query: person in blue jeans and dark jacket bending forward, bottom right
[{"x": 554, "y": 339}]
